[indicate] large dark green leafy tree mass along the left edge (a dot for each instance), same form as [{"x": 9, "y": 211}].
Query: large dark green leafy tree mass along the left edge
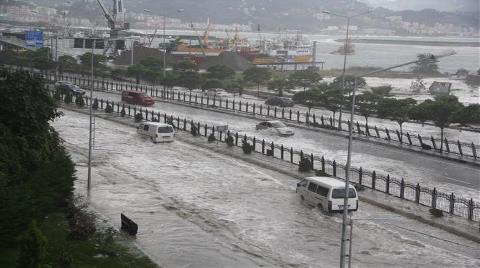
[{"x": 36, "y": 173}]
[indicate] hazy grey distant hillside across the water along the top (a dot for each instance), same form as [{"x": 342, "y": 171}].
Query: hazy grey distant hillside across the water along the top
[{"x": 278, "y": 14}]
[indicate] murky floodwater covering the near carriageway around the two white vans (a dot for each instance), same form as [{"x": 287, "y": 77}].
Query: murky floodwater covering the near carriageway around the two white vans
[{"x": 196, "y": 208}]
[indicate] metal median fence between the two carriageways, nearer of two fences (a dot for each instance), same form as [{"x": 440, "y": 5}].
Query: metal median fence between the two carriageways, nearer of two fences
[{"x": 385, "y": 183}]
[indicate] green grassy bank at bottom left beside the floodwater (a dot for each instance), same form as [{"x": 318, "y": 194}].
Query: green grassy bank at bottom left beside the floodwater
[{"x": 93, "y": 252}]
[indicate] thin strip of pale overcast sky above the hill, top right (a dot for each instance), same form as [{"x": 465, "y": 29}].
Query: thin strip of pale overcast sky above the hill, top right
[{"x": 443, "y": 5}]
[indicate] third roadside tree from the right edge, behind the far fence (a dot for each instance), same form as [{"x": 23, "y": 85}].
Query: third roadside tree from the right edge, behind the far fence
[{"x": 396, "y": 110}]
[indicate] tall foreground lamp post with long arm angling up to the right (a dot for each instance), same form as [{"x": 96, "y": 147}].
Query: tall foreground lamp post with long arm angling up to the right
[{"x": 349, "y": 150}]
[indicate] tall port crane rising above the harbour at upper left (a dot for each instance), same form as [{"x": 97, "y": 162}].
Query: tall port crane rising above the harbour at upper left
[{"x": 118, "y": 26}]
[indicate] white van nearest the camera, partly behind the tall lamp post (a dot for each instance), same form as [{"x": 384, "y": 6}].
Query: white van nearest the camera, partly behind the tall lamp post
[{"x": 327, "y": 193}]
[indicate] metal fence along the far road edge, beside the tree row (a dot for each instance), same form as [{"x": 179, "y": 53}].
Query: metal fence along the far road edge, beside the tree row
[{"x": 425, "y": 143}]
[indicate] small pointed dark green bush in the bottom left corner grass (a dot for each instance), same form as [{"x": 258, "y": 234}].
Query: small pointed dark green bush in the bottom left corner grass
[{"x": 32, "y": 247}]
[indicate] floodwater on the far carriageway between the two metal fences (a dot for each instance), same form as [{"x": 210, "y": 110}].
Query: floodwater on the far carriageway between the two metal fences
[{"x": 430, "y": 171}]
